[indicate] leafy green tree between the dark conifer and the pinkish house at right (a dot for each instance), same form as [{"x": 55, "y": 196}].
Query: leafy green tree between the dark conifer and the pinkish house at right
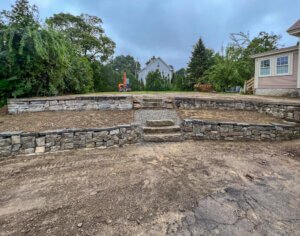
[{"x": 236, "y": 66}]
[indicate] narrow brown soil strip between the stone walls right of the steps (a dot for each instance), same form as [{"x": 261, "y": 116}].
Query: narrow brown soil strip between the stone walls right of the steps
[{"x": 229, "y": 116}]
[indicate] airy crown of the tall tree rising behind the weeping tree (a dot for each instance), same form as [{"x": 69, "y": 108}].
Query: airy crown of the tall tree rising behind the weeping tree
[{"x": 85, "y": 31}]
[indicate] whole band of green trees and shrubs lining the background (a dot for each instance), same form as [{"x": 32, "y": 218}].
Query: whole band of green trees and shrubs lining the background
[{"x": 72, "y": 54}]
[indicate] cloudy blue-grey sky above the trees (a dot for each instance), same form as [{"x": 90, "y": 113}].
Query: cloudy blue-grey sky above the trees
[{"x": 170, "y": 28}]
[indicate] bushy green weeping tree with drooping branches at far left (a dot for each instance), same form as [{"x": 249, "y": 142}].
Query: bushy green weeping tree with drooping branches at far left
[{"x": 34, "y": 61}]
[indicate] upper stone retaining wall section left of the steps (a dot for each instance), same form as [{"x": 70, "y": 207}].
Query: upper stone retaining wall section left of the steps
[{"x": 70, "y": 104}]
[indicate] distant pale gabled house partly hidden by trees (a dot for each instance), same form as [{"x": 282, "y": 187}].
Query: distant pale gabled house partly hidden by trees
[{"x": 156, "y": 63}]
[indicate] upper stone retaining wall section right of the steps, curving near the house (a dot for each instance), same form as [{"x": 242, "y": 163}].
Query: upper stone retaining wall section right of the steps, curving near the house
[{"x": 288, "y": 111}]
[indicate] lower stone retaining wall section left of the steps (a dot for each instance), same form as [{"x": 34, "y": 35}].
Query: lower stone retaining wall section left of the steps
[{"x": 14, "y": 143}]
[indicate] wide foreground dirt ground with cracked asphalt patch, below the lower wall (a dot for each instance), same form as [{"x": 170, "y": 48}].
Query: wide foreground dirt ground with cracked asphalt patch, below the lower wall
[{"x": 189, "y": 188}]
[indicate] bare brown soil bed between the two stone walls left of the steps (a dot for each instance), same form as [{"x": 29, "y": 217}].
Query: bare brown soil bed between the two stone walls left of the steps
[{"x": 41, "y": 121}]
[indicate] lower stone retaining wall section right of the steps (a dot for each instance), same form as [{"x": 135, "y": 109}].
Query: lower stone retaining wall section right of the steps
[{"x": 197, "y": 129}]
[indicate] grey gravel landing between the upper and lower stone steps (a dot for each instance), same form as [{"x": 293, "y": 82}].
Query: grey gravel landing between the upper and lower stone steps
[{"x": 141, "y": 116}]
